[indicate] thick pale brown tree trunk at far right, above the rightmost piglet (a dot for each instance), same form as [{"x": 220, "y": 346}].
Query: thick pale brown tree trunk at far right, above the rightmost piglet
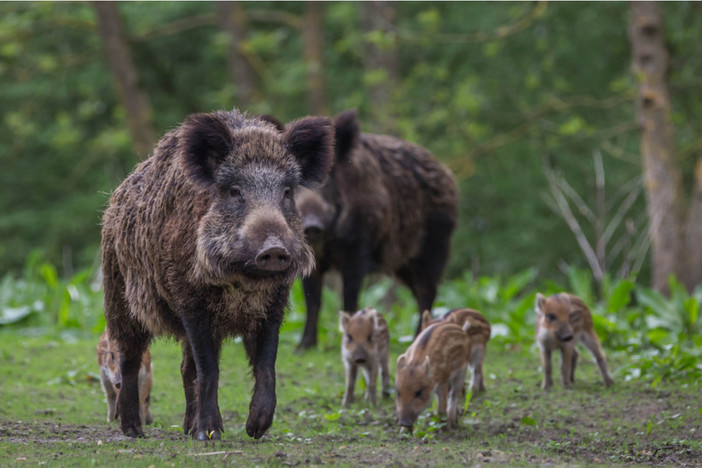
[{"x": 662, "y": 173}]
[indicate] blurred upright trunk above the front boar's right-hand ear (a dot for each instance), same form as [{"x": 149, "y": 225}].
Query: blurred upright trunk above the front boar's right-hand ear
[{"x": 313, "y": 37}]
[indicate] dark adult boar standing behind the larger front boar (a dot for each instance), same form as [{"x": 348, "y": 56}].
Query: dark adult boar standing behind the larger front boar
[{"x": 388, "y": 206}]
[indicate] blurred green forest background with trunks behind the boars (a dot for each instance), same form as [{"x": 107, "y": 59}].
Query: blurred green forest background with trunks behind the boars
[{"x": 573, "y": 128}]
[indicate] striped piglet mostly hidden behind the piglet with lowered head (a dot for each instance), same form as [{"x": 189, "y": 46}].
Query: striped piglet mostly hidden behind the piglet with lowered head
[{"x": 479, "y": 333}]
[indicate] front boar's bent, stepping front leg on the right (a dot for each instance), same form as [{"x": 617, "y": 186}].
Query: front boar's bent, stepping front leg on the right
[{"x": 262, "y": 350}]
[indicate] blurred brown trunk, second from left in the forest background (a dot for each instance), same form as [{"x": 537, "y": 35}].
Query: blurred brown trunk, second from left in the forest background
[{"x": 233, "y": 22}]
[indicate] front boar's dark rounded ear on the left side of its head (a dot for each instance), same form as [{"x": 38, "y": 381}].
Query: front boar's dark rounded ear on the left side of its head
[{"x": 204, "y": 141}]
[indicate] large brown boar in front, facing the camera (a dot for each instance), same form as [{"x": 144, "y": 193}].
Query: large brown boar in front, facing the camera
[{"x": 202, "y": 242}]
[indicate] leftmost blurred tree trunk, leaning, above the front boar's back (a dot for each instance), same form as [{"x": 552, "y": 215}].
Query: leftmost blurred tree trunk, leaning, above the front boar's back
[{"x": 126, "y": 79}]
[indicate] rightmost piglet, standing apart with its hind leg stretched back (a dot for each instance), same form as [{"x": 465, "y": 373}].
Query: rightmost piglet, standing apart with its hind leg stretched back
[{"x": 563, "y": 320}]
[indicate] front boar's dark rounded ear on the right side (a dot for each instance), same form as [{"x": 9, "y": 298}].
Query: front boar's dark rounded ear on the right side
[{"x": 310, "y": 140}]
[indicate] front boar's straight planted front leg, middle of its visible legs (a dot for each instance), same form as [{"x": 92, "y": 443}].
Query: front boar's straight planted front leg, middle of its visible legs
[{"x": 205, "y": 355}]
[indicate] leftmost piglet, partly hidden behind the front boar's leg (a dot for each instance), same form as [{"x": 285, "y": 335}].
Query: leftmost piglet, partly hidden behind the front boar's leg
[{"x": 111, "y": 378}]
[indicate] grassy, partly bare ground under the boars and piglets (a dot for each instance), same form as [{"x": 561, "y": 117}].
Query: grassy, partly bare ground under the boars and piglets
[{"x": 52, "y": 411}]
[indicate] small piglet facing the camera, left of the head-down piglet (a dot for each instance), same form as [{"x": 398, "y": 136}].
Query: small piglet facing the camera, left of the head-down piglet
[{"x": 365, "y": 344}]
